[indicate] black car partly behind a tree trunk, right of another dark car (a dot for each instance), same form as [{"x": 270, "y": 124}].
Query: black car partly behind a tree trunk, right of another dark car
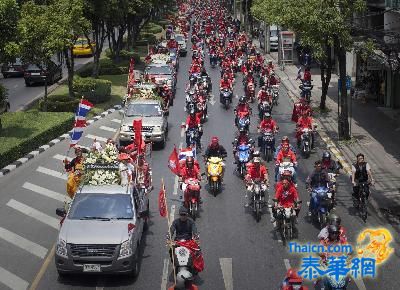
[{"x": 37, "y": 73}]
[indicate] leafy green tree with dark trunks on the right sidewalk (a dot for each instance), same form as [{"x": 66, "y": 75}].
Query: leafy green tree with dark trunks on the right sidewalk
[{"x": 321, "y": 26}]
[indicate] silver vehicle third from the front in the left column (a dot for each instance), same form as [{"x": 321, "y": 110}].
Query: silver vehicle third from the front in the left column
[{"x": 161, "y": 73}]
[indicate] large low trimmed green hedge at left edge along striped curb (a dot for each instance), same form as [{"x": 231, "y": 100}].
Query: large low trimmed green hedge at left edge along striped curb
[{"x": 24, "y": 132}]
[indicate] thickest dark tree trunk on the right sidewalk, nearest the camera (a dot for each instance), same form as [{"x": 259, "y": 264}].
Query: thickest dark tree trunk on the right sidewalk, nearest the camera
[{"x": 344, "y": 131}]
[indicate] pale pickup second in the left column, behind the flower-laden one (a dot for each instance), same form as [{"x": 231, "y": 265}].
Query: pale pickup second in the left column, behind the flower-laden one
[{"x": 154, "y": 122}]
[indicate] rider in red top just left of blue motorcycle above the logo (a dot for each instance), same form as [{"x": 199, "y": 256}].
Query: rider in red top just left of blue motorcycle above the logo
[{"x": 287, "y": 197}]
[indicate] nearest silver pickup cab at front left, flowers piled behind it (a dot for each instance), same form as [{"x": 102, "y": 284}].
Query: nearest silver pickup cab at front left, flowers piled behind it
[{"x": 102, "y": 231}]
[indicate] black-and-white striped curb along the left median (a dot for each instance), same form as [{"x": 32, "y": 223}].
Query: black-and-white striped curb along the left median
[{"x": 7, "y": 169}]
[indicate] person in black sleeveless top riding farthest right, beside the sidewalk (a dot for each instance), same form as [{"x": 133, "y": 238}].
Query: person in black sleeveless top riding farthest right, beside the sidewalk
[{"x": 361, "y": 172}]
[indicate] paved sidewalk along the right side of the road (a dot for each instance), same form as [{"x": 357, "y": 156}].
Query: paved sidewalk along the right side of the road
[{"x": 375, "y": 131}]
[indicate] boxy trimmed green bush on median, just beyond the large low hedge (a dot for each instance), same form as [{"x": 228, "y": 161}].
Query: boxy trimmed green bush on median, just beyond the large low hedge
[{"x": 84, "y": 87}]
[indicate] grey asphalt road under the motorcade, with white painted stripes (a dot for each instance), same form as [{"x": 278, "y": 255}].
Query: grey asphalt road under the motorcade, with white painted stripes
[{"x": 239, "y": 253}]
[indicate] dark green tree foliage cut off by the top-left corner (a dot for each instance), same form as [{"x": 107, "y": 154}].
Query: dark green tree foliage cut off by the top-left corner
[{"x": 9, "y": 14}]
